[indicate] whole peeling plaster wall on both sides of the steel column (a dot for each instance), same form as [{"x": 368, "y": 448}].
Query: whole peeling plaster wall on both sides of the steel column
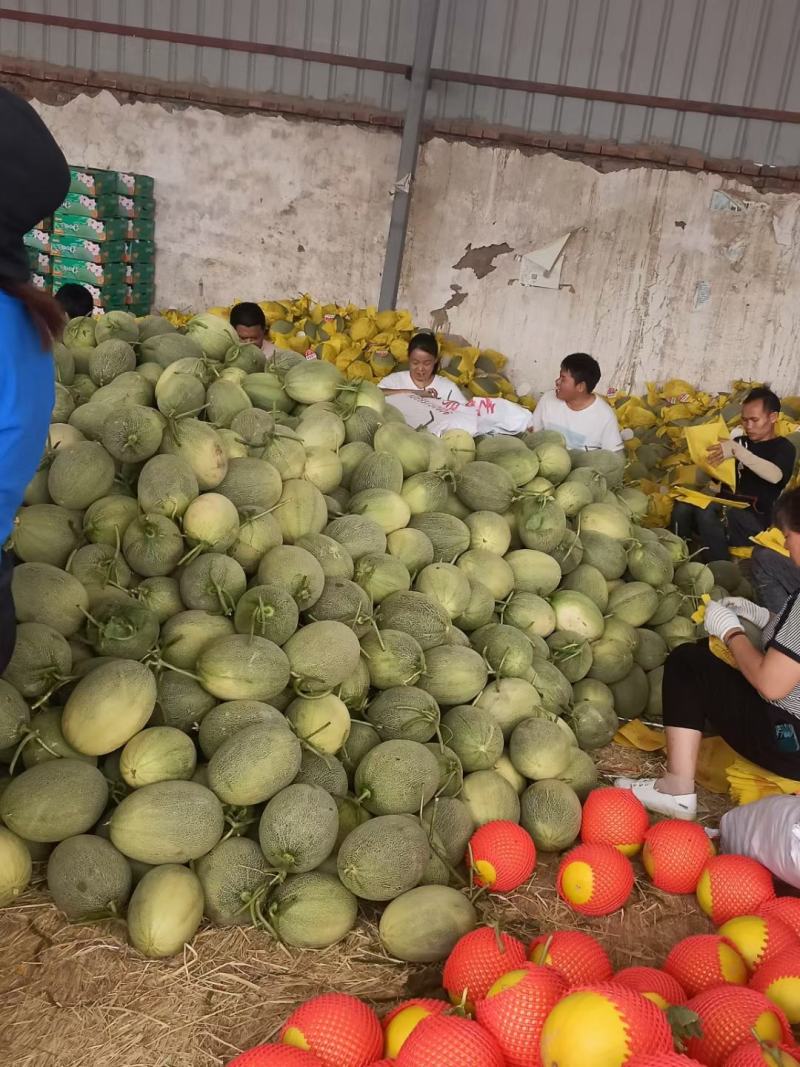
[{"x": 667, "y": 274}]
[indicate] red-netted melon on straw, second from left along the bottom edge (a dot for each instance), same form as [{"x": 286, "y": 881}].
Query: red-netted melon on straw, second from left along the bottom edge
[{"x": 341, "y": 1030}]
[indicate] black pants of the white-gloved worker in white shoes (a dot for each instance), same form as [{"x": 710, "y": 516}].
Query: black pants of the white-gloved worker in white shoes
[{"x": 701, "y": 691}]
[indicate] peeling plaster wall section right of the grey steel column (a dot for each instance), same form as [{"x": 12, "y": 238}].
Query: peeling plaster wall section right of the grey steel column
[{"x": 667, "y": 274}]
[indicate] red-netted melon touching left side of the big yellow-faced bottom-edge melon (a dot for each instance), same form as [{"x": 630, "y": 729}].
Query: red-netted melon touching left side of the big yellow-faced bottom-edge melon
[{"x": 516, "y": 1008}]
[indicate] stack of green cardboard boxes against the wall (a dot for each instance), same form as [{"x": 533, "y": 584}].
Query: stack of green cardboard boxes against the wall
[{"x": 103, "y": 238}]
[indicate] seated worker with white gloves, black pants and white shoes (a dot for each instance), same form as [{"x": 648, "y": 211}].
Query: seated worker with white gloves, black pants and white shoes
[{"x": 755, "y": 707}]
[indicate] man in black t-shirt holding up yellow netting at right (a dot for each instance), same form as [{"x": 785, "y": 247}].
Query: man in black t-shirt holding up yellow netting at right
[{"x": 764, "y": 466}]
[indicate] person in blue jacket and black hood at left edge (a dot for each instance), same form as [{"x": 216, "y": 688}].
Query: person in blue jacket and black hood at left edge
[{"x": 35, "y": 180}]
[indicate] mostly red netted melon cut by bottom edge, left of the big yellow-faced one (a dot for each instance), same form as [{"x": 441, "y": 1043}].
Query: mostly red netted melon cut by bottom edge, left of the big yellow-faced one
[{"x": 449, "y": 1041}]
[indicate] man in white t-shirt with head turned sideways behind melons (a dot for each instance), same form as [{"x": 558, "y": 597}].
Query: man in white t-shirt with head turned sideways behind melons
[{"x": 586, "y": 421}]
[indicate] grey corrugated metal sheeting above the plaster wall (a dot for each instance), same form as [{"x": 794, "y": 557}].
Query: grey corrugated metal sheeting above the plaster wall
[{"x": 741, "y": 53}]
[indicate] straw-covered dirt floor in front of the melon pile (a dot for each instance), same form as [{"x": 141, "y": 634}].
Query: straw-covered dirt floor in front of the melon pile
[{"x": 78, "y": 997}]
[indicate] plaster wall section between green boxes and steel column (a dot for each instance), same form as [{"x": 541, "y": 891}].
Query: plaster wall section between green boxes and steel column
[{"x": 248, "y": 208}]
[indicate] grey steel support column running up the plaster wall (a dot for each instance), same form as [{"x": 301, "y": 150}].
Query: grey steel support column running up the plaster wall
[{"x": 421, "y": 77}]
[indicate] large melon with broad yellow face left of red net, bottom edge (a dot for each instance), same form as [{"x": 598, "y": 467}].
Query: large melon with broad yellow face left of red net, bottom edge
[{"x": 603, "y": 1025}]
